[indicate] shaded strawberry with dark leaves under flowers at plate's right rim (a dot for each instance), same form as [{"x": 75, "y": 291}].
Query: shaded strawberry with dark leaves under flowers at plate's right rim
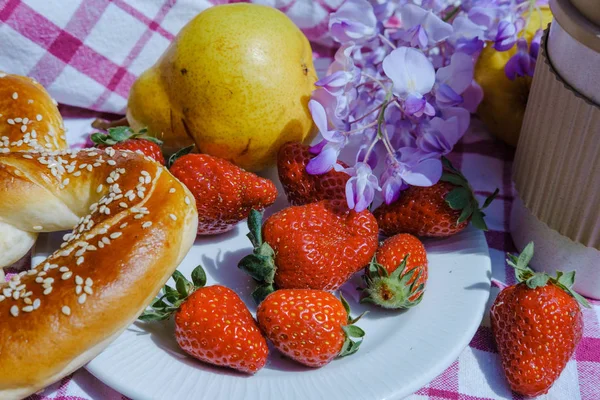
[{"x": 441, "y": 210}]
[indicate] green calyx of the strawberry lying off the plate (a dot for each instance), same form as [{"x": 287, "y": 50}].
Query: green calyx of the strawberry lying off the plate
[{"x": 523, "y": 273}]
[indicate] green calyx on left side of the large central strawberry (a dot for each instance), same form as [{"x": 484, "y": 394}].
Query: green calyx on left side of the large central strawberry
[{"x": 260, "y": 265}]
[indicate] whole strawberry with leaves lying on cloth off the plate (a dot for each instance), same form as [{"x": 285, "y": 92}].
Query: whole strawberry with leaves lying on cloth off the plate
[{"x": 537, "y": 325}]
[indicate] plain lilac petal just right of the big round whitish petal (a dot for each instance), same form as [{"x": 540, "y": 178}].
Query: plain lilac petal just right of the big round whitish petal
[{"x": 453, "y": 80}]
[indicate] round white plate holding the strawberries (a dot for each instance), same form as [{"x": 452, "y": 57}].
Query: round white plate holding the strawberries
[{"x": 401, "y": 352}]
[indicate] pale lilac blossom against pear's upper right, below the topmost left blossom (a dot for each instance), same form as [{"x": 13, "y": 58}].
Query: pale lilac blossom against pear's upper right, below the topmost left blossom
[{"x": 342, "y": 73}]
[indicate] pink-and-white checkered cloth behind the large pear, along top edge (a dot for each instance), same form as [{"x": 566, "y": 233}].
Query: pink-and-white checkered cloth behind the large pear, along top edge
[{"x": 88, "y": 53}]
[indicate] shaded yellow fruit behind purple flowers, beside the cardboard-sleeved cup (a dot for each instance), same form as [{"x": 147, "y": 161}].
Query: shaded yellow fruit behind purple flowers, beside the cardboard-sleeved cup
[{"x": 503, "y": 105}]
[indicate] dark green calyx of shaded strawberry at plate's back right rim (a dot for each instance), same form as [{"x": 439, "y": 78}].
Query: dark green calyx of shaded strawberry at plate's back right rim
[{"x": 462, "y": 197}]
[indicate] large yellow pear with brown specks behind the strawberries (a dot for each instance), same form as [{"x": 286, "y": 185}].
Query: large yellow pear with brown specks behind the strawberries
[{"x": 236, "y": 81}]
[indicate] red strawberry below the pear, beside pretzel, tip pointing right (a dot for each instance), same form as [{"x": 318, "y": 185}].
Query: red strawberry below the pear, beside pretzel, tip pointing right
[{"x": 224, "y": 192}]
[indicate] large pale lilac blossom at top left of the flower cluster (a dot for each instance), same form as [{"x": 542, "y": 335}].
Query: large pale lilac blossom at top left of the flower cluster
[{"x": 353, "y": 21}]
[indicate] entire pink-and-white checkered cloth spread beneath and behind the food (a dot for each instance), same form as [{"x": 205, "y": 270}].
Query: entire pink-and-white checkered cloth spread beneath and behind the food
[{"x": 69, "y": 46}]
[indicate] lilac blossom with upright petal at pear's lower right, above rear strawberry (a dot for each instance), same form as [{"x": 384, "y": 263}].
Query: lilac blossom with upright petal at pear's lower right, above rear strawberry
[{"x": 331, "y": 145}]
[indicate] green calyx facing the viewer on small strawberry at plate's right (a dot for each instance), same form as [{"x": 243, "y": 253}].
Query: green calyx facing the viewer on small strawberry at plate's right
[{"x": 393, "y": 290}]
